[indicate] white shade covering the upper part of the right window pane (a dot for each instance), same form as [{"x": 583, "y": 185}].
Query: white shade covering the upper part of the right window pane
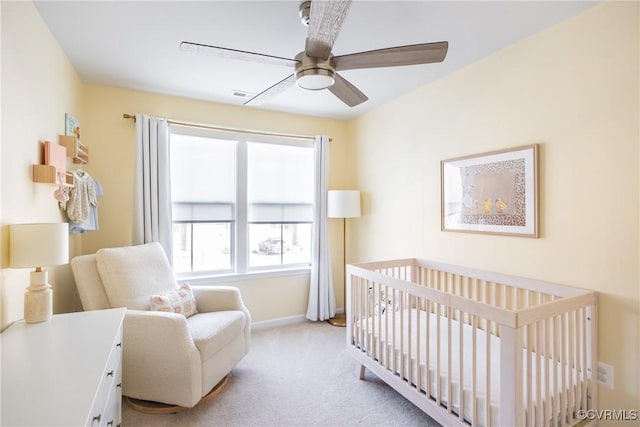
[{"x": 279, "y": 183}]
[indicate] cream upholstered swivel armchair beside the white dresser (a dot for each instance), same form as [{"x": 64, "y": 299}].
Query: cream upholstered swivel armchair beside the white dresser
[{"x": 167, "y": 357}]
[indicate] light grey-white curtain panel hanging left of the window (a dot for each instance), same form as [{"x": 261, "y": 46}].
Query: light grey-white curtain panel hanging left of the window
[{"x": 152, "y": 191}]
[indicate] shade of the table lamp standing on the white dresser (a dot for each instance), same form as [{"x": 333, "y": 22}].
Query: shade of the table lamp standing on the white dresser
[{"x": 38, "y": 245}]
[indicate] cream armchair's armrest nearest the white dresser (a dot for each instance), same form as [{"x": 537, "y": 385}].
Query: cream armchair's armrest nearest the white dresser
[{"x": 158, "y": 353}]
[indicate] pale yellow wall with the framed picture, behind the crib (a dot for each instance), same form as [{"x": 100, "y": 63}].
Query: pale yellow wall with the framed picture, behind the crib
[{"x": 574, "y": 90}]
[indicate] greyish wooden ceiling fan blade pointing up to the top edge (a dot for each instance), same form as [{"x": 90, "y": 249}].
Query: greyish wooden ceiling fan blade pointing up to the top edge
[{"x": 325, "y": 22}]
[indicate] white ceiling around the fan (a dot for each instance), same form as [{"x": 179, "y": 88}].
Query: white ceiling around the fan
[{"x": 135, "y": 44}]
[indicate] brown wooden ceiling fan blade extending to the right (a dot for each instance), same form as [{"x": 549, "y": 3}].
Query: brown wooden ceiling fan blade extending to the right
[{"x": 425, "y": 53}]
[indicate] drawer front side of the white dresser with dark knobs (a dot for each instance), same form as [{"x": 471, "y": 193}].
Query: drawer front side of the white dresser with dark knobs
[{"x": 106, "y": 408}]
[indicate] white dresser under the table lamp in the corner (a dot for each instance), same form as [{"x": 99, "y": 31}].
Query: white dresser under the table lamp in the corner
[{"x": 63, "y": 372}]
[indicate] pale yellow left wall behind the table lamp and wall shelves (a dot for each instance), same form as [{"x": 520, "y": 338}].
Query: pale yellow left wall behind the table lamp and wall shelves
[{"x": 38, "y": 87}]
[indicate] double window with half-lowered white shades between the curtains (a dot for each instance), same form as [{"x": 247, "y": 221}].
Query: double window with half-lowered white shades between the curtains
[{"x": 240, "y": 203}]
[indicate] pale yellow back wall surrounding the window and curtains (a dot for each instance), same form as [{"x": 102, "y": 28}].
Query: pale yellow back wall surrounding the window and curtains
[{"x": 111, "y": 142}]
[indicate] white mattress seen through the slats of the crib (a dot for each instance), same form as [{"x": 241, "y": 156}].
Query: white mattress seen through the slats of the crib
[{"x": 401, "y": 348}]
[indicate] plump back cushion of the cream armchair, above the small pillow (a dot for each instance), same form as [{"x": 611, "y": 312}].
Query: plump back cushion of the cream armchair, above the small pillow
[{"x": 132, "y": 274}]
